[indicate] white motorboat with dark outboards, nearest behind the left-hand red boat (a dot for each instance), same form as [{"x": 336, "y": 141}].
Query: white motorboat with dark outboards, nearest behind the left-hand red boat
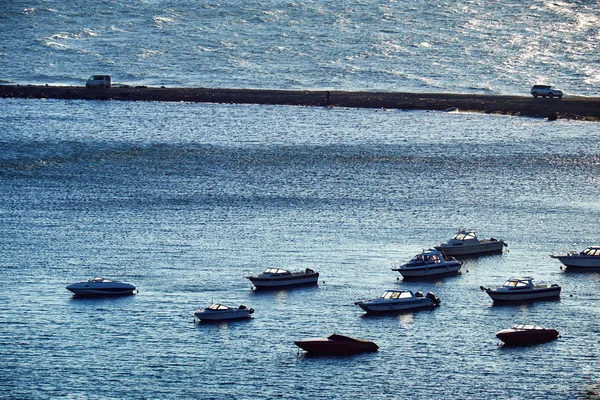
[{"x": 399, "y": 300}]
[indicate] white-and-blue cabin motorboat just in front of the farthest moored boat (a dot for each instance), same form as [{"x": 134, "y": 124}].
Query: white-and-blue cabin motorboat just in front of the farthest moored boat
[{"x": 427, "y": 264}]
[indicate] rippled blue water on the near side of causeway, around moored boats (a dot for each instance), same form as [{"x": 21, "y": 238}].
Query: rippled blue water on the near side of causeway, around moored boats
[{"x": 185, "y": 200}]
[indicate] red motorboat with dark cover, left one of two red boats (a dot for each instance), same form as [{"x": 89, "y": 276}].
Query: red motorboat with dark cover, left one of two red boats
[{"x": 336, "y": 345}]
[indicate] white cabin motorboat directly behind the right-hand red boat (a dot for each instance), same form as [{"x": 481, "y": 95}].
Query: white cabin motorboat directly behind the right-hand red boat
[{"x": 522, "y": 289}]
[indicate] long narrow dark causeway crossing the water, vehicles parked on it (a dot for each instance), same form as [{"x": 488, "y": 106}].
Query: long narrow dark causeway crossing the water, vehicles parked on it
[{"x": 578, "y": 108}]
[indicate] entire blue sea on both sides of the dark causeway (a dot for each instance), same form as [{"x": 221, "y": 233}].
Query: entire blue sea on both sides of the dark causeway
[{"x": 186, "y": 200}]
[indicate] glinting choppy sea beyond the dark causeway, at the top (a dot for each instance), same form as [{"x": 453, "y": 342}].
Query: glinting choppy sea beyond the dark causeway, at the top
[{"x": 473, "y": 46}]
